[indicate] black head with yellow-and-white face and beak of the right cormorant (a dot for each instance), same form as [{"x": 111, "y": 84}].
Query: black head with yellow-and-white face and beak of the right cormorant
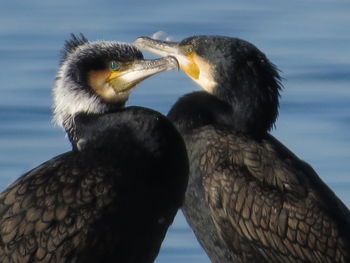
[{"x": 233, "y": 70}]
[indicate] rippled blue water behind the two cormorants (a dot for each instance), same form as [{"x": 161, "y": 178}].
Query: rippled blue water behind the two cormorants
[{"x": 308, "y": 40}]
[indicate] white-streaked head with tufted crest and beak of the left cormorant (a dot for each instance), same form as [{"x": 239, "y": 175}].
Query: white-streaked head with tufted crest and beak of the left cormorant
[{"x": 98, "y": 77}]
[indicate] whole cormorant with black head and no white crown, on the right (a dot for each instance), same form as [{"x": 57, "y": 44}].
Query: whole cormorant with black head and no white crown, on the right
[{"x": 249, "y": 198}]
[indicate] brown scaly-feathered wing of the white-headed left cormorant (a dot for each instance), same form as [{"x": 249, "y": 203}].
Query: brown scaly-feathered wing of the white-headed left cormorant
[{"x": 44, "y": 215}]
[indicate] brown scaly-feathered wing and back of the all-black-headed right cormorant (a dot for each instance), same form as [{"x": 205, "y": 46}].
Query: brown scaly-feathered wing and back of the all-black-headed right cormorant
[{"x": 269, "y": 200}]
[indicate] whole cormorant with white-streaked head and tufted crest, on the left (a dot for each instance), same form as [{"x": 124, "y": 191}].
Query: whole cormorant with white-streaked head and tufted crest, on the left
[{"x": 113, "y": 197}]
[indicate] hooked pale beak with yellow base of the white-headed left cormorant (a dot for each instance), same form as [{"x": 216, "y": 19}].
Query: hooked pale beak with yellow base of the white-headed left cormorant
[{"x": 138, "y": 71}]
